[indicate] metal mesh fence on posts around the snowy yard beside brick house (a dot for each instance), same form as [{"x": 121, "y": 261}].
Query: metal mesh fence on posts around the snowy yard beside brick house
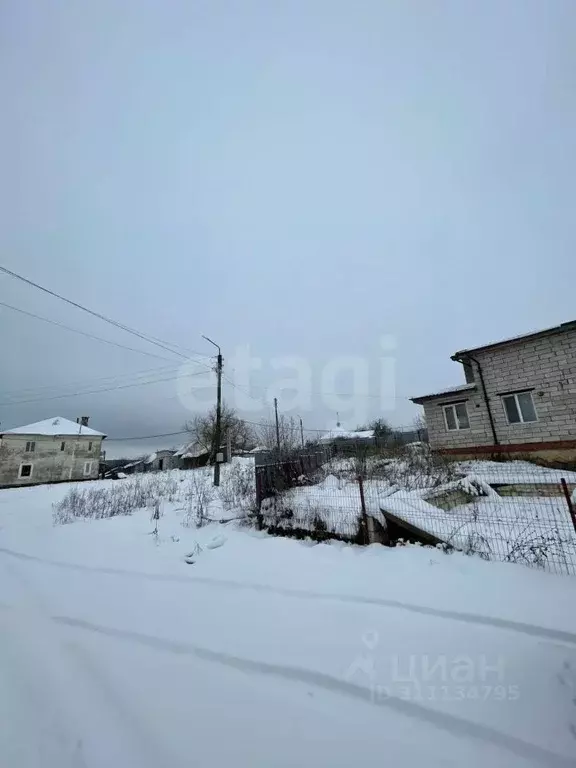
[{"x": 513, "y": 511}]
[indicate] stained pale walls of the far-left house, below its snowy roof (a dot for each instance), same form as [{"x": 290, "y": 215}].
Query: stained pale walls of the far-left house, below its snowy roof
[{"x": 49, "y": 462}]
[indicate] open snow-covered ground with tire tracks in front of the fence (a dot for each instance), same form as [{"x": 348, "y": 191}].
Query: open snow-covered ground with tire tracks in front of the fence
[{"x": 270, "y": 652}]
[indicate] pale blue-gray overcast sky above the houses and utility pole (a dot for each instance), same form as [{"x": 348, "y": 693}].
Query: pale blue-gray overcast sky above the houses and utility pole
[{"x": 306, "y": 177}]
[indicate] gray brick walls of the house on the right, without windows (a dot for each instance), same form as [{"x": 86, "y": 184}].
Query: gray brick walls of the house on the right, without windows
[{"x": 547, "y": 366}]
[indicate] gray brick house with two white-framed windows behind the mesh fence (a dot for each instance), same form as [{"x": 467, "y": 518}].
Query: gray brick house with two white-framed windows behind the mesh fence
[{"x": 519, "y": 398}]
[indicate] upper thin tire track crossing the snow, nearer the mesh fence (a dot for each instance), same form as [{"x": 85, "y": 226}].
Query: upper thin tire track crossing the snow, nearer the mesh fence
[{"x": 467, "y": 618}]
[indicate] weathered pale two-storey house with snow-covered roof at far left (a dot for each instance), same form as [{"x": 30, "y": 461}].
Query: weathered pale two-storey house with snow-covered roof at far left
[{"x": 49, "y": 451}]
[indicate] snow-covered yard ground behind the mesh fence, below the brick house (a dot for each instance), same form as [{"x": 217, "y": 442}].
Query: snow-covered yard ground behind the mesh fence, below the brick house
[{"x": 529, "y": 523}]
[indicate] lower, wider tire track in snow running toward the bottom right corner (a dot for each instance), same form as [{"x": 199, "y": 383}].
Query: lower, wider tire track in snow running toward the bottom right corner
[{"x": 458, "y": 727}]
